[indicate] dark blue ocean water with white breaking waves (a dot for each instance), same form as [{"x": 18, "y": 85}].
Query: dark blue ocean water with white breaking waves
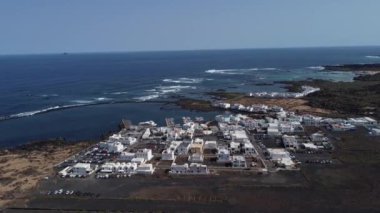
[{"x": 81, "y": 96}]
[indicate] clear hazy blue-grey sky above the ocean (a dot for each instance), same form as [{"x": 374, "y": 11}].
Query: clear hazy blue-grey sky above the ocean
[{"x": 55, "y": 26}]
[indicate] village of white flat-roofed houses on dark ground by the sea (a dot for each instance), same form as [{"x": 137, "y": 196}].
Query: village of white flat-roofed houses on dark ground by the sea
[{"x": 272, "y": 140}]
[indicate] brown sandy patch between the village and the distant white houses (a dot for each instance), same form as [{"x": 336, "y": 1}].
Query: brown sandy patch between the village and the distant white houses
[{"x": 291, "y": 104}]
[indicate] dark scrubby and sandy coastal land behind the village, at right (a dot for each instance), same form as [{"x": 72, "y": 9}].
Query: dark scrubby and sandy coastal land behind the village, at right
[{"x": 358, "y": 98}]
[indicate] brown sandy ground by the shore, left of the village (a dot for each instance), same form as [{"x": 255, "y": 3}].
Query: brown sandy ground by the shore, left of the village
[{"x": 21, "y": 170}]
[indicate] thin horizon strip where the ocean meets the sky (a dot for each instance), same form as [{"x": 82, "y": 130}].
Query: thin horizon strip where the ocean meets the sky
[{"x": 185, "y": 50}]
